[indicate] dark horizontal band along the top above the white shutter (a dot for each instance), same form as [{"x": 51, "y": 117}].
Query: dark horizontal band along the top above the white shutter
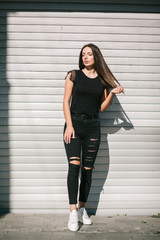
[{"x": 81, "y": 7}]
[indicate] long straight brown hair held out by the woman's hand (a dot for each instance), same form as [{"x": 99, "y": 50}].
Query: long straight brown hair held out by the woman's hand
[{"x": 100, "y": 66}]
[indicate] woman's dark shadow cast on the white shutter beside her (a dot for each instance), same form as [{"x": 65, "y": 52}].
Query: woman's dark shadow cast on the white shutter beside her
[{"x": 108, "y": 126}]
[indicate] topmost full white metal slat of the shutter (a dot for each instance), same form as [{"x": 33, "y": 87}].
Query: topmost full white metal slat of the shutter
[{"x": 87, "y": 21}]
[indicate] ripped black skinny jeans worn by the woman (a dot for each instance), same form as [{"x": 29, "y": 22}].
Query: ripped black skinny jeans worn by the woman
[{"x": 86, "y": 141}]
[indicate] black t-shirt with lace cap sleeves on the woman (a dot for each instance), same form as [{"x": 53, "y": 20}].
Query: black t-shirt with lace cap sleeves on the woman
[{"x": 86, "y": 94}]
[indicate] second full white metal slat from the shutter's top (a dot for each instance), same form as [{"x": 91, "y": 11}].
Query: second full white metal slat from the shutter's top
[{"x": 11, "y": 28}]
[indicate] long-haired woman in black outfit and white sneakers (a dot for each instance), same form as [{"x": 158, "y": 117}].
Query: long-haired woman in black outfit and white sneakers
[{"x": 92, "y": 88}]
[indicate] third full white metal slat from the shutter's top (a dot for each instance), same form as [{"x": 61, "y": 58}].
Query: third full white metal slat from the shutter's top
[{"x": 81, "y": 36}]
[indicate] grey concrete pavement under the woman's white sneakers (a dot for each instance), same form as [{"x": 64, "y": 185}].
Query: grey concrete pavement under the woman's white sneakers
[{"x": 50, "y": 226}]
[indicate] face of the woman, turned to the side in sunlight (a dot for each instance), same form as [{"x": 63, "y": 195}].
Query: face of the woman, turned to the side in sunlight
[{"x": 87, "y": 57}]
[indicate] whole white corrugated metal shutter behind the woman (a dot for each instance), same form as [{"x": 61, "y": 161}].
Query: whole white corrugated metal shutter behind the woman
[{"x": 40, "y": 48}]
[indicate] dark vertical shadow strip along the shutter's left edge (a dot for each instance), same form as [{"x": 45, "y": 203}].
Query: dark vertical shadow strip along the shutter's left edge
[{"x": 4, "y": 138}]
